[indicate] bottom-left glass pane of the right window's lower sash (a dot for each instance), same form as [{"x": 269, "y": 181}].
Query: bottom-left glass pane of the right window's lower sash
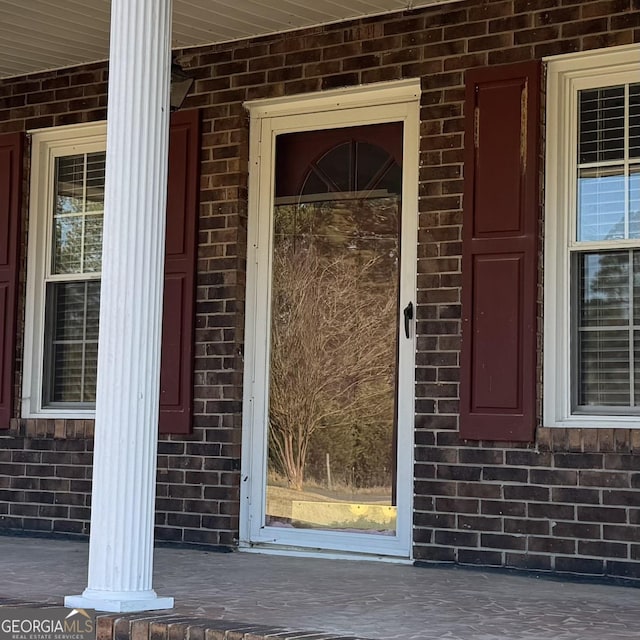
[{"x": 603, "y": 370}]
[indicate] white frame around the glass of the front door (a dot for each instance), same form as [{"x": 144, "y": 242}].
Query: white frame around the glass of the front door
[{"x": 397, "y": 101}]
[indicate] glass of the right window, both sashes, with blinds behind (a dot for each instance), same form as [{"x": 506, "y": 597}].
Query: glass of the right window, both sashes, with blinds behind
[{"x": 605, "y": 285}]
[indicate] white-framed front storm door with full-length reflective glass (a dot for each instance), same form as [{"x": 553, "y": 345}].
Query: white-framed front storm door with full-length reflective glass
[{"x": 330, "y": 331}]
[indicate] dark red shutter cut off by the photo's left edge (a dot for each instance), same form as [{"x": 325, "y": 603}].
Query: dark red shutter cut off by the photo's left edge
[{"x": 10, "y": 206}]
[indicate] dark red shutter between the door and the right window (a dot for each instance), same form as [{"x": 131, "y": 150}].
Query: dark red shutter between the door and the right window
[{"x": 500, "y": 253}]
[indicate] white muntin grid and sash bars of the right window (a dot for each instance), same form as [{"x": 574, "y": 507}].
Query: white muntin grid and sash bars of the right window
[{"x": 578, "y": 247}]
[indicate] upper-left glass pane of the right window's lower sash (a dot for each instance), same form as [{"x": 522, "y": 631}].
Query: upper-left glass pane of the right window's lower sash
[{"x": 604, "y": 289}]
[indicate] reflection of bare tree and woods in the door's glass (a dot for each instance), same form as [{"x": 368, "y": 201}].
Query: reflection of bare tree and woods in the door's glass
[{"x": 333, "y": 340}]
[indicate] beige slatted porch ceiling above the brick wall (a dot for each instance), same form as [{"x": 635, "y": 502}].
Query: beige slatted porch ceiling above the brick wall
[{"x": 37, "y": 35}]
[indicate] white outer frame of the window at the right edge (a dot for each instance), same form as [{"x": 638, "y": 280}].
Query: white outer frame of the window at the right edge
[{"x": 566, "y": 75}]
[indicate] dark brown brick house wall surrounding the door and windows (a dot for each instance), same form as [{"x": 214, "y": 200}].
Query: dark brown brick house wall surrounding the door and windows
[{"x": 569, "y": 502}]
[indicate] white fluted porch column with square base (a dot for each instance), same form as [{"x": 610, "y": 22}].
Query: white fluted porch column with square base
[{"x": 126, "y": 430}]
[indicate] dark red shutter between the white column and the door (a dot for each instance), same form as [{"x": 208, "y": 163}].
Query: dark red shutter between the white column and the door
[{"x": 176, "y": 372}]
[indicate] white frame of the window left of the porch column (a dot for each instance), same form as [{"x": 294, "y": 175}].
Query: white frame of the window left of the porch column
[{"x": 46, "y": 146}]
